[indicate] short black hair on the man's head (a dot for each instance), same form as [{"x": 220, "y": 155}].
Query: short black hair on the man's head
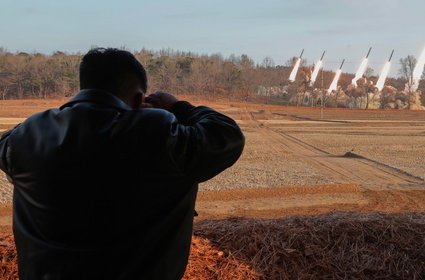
[{"x": 107, "y": 68}]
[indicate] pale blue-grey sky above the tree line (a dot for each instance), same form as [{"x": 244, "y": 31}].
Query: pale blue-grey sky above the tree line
[{"x": 278, "y": 29}]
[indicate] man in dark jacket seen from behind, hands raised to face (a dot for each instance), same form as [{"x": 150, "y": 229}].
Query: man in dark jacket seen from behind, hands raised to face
[{"x": 105, "y": 186}]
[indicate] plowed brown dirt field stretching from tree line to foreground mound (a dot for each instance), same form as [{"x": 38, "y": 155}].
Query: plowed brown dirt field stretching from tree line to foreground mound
[{"x": 298, "y": 161}]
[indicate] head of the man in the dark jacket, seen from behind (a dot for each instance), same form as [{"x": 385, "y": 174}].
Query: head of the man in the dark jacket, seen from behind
[{"x": 116, "y": 71}]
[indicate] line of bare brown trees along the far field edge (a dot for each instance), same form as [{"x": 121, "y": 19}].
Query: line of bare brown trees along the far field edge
[{"x": 36, "y": 75}]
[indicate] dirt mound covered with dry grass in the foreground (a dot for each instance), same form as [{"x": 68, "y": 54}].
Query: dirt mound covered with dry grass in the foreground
[{"x": 338, "y": 245}]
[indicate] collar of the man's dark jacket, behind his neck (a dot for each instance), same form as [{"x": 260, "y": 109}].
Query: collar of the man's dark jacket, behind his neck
[{"x": 97, "y": 96}]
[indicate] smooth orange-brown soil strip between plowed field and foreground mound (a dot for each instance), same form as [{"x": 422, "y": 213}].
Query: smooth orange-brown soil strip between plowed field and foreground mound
[{"x": 289, "y": 201}]
